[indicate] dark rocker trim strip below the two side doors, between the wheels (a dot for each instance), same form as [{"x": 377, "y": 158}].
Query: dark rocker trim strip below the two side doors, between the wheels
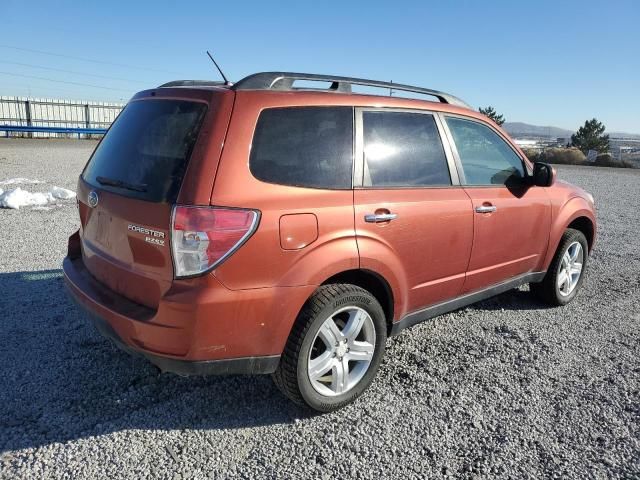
[{"x": 427, "y": 313}]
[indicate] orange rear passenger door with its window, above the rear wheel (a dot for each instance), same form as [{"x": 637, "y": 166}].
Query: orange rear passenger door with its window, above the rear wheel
[{"x": 413, "y": 221}]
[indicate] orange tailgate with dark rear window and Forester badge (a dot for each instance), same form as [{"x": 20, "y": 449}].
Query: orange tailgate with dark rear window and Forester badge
[{"x": 126, "y": 194}]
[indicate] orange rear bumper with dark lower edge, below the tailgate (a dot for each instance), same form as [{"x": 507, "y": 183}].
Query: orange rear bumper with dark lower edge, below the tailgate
[{"x": 199, "y": 328}]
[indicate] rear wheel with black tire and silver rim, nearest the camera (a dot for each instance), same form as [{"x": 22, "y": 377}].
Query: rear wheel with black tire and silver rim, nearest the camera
[{"x": 308, "y": 351}]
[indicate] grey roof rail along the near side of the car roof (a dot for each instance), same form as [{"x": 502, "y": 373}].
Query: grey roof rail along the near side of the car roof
[{"x": 285, "y": 81}]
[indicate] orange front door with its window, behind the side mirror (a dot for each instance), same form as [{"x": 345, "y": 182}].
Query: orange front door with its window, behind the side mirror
[{"x": 511, "y": 217}]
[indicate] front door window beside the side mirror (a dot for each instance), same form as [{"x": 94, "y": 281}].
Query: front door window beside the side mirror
[{"x": 486, "y": 158}]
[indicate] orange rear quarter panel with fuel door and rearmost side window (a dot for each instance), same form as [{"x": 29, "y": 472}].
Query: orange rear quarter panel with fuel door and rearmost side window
[{"x": 294, "y": 164}]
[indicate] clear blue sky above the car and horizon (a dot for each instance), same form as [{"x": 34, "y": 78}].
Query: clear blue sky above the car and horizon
[{"x": 547, "y": 63}]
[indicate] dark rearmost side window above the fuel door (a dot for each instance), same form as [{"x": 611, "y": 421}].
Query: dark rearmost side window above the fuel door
[{"x": 304, "y": 147}]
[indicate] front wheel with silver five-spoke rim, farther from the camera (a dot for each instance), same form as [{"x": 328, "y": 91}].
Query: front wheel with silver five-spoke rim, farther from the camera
[{"x": 558, "y": 291}]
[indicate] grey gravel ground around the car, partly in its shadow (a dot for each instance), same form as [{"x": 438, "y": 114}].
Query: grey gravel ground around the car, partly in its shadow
[{"x": 505, "y": 388}]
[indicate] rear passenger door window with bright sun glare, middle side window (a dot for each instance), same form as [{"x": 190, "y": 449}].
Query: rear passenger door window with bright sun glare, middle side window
[{"x": 403, "y": 150}]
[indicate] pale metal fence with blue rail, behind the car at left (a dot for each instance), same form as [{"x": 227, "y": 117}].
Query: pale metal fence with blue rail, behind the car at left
[{"x": 61, "y": 114}]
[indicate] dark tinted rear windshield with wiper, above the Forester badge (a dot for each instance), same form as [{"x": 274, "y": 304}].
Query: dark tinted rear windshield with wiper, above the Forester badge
[{"x": 145, "y": 152}]
